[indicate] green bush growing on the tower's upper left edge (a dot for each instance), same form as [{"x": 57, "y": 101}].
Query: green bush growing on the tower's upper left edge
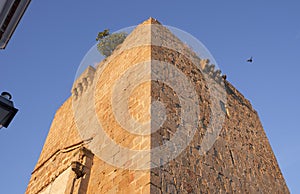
[{"x": 107, "y": 42}]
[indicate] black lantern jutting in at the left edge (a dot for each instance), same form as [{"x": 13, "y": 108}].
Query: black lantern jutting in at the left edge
[{"x": 7, "y": 109}]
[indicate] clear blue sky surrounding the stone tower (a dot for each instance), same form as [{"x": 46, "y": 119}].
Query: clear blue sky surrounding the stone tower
[{"x": 40, "y": 62}]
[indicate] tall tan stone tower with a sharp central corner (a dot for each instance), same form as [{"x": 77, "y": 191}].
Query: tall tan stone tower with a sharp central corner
[{"x": 155, "y": 117}]
